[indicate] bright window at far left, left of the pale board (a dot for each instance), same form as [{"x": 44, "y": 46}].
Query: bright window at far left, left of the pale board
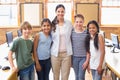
[{"x": 8, "y": 13}]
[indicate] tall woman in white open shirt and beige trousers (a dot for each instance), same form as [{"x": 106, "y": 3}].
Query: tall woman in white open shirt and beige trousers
[{"x": 61, "y": 49}]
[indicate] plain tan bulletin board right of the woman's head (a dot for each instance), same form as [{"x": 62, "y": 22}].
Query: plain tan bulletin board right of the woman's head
[{"x": 90, "y": 11}]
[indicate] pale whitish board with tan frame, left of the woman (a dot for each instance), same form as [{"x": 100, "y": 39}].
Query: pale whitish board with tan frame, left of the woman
[{"x": 31, "y": 12}]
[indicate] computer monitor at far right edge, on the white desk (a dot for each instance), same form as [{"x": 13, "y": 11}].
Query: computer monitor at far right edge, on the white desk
[{"x": 115, "y": 42}]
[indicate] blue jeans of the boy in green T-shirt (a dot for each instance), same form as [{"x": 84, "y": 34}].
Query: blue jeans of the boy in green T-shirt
[{"x": 27, "y": 73}]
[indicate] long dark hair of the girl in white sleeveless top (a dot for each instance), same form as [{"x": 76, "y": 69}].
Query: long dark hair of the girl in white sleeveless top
[{"x": 89, "y": 37}]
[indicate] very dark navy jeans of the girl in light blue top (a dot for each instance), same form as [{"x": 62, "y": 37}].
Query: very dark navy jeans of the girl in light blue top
[{"x": 44, "y": 73}]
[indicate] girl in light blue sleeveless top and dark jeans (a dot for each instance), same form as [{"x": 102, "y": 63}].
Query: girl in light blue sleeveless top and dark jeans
[{"x": 42, "y": 44}]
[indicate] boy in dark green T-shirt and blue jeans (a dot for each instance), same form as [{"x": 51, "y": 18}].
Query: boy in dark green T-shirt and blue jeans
[{"x": 22, "y": 47}]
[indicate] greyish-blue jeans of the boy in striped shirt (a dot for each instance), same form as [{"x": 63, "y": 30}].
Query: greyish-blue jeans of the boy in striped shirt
[{"x": 77, "y": 63}]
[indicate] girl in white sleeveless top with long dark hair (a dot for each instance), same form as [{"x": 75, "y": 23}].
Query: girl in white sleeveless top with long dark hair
[{"x": 97, "y": 50}]
